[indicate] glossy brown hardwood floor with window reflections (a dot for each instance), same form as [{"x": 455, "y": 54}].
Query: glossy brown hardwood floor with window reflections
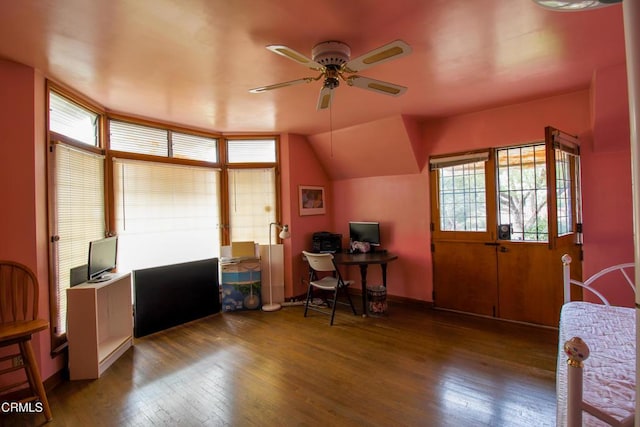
[{"x": 414, "y": 367}]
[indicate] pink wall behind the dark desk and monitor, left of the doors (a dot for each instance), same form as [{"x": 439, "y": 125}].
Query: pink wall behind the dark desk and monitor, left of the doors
[{"x": 400, "y": 204}]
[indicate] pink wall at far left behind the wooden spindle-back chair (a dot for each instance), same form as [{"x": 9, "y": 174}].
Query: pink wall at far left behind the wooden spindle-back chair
[{"x": 23, "y": 220}]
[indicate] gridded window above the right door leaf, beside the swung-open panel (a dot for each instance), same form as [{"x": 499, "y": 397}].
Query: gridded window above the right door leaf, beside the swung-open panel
[{"x": 522, "y": 192}]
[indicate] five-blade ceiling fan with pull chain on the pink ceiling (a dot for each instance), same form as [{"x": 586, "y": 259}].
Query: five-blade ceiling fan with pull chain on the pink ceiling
[{"x": 333, "y": 60}]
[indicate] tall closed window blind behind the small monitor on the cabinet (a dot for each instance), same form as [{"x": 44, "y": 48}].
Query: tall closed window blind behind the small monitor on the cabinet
[{"x": 79, "y": 206}]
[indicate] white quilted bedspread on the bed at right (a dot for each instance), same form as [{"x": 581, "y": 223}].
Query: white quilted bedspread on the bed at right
[{"x": 609, "y": 372}]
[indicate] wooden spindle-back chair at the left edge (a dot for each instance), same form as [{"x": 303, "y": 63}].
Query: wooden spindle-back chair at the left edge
[{"x": 18, "y": 322}]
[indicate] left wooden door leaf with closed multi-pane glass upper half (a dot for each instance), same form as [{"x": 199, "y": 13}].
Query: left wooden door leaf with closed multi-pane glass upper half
[{"x": 464, "y": 265}]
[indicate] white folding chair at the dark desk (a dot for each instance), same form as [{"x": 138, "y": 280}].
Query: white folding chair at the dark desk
[{"x": 324, "y": 263}]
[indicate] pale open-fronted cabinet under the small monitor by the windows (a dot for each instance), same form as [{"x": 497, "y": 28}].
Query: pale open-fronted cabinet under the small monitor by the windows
[{"x": 99, "y": 325}]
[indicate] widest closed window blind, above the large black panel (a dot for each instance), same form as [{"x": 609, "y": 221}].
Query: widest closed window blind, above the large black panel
[{"x": 165, "y": 213}]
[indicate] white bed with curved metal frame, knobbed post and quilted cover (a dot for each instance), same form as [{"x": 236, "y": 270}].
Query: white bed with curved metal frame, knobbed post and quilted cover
[{"x": 583, "y": 320}]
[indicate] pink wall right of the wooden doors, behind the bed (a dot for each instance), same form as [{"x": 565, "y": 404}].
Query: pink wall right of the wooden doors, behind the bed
[{"x": 606, "y": 179}]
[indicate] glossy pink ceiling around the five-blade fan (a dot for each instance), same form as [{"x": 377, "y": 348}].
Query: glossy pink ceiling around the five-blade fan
[{"x": 192, "y": 62}]
